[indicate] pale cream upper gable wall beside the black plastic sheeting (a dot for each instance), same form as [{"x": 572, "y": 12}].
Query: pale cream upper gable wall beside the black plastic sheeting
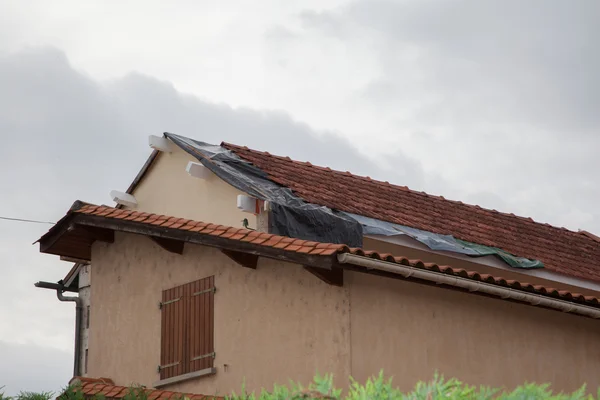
[{"x": 168, "y": 189}]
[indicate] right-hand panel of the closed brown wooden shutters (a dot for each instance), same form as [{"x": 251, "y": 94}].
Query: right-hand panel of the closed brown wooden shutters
[{"x": 201, "y": 342}]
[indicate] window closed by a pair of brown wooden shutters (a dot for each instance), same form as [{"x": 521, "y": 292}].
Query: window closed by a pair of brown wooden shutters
[{"x": 187, "y": 324}]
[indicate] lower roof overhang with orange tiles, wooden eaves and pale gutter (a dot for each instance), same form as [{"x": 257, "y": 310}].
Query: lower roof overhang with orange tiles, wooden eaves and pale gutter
[{"x": 74, "y": 235}]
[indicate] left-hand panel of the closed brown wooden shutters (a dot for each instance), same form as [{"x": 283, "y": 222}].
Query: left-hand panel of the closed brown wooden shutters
[{"x": 174, "y": 332}]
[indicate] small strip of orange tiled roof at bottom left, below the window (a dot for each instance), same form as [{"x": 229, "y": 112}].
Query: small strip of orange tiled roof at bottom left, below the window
[{"x": 107, "y": 388}]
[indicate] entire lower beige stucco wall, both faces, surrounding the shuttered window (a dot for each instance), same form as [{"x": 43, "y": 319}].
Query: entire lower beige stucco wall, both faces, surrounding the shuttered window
[{"x": 279, "y": 322}]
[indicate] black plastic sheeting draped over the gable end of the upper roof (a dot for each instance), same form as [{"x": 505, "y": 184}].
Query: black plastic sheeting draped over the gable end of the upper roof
[{"x": 290, "y": 215}]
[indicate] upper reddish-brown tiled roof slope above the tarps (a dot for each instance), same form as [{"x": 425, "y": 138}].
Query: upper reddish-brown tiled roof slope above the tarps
[{"x": 561, "y": 250}]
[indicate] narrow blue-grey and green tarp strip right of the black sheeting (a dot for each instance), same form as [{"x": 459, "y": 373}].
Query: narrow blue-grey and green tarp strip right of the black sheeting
[{"x": 439, "y": 242}]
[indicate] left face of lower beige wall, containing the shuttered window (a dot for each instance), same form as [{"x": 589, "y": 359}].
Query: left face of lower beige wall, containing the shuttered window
[{"x": 271, "y": 324}]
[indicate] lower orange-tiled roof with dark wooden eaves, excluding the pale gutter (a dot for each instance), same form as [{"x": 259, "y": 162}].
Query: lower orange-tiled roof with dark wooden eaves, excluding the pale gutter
[{"x": 85, "y": 223}]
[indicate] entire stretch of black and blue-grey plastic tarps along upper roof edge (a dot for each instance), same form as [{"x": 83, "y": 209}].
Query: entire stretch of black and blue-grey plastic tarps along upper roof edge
[{"x": 293, "y": 217}]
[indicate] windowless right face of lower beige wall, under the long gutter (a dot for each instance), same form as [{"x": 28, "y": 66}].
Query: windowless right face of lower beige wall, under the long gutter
[{"x": 412, "y": 330}]
